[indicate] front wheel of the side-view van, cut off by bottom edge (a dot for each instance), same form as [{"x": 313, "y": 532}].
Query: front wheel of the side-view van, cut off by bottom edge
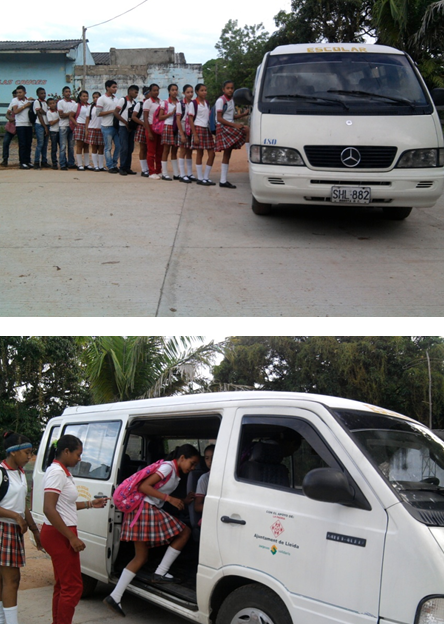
[{"x": 253, "y": 604}]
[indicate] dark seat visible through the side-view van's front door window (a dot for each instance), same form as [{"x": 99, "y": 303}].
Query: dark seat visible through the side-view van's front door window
[{"x": 264, "y": 465}]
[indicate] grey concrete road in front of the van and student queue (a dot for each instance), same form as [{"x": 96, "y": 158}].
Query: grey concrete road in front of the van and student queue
[{"x": 94, "y": 244}]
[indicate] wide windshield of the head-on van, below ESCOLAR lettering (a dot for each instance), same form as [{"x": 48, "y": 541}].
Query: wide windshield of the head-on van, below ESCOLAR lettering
[{"x": 342, "y": 83}]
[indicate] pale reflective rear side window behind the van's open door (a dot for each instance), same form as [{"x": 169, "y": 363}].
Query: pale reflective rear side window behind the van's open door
[{"x": 99, "y": 444}]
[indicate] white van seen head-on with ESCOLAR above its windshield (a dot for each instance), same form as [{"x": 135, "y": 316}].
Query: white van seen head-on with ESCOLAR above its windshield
[{"x": 344, "y": 124}]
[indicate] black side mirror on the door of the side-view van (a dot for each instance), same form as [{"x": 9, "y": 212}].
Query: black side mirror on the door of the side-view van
[{"x": 328, "y": 485}]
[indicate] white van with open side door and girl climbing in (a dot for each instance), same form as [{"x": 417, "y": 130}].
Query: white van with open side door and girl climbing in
[{"x": 319, "y": 509}]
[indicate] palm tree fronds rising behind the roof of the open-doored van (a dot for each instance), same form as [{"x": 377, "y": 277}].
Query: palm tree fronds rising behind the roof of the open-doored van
[{"x": 121, "y": 368}]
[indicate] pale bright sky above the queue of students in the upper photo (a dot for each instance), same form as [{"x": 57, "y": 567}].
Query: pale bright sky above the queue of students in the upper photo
[{"x": 193, "y": 32}]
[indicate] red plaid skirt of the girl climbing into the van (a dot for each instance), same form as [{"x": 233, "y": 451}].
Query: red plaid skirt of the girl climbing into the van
[{"x": 154, "y": 526}]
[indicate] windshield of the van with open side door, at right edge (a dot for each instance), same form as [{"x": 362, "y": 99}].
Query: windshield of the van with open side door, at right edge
[{"x": 409, "y": 456}]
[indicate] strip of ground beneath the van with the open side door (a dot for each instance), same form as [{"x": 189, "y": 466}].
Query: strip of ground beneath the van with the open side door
[{"x": 35, "y": 606}]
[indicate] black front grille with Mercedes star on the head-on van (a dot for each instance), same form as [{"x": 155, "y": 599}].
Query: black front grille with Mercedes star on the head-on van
[{"x": 366, "y": 156}]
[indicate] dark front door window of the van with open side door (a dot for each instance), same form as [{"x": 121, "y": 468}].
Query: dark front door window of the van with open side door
[{"x": 280, "y": 452}]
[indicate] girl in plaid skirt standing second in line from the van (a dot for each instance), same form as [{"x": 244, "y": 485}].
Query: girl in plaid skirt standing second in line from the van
[{"x": 202, "y": 139}]
